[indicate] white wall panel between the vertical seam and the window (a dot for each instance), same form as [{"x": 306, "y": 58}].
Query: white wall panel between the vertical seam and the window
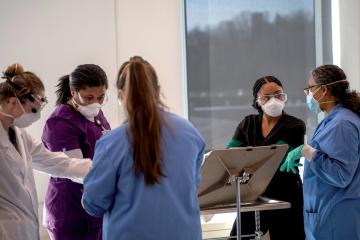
[{"x": 152, "y": 29}]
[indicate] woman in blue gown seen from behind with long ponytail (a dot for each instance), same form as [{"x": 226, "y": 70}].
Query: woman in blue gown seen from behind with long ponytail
[{"x": 146, "y": 173}]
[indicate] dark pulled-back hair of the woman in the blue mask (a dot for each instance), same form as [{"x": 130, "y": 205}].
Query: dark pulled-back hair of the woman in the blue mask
[{"x": 340, "y": 90}]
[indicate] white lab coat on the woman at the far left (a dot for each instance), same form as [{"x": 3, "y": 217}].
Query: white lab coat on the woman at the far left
[{"x": 18, "y": 198}]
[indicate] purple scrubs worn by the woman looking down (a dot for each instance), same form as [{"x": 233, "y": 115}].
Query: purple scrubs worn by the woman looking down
[{"x": 66, "y": 129}]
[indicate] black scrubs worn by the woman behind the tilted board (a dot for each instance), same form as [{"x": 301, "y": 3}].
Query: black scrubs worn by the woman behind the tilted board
[{"x": 284, "y": 223}]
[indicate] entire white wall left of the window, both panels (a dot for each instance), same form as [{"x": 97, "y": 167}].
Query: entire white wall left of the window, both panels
[{"x": 51, "y": 38}]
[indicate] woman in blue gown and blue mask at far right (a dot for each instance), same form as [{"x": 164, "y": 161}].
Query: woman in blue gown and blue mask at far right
[{"x": 332, "y": 170}]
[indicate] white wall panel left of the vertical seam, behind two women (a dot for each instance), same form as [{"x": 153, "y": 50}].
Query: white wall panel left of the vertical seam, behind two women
[{"x": 51, "y": 38}]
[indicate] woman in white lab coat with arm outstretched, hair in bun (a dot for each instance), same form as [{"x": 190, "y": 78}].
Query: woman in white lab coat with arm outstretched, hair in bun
[{"x": 21, "y": 101}]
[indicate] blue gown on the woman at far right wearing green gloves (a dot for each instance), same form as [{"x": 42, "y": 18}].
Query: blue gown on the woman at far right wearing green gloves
[{"x": 332, "y": 179}]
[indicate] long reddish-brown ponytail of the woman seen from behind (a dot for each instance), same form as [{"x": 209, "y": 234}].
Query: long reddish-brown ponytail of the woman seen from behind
[{"x": 139, "y": 81}]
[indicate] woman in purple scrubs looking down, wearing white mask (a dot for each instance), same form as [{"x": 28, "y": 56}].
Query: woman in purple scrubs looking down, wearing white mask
[{"x": 74, "y": 127}]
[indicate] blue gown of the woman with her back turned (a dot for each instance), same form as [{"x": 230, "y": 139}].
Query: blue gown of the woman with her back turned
[{"x": 133, "y": 210}]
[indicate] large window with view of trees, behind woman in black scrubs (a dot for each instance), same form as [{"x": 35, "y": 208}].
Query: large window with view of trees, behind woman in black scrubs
[{"x": 232, "y": 43}]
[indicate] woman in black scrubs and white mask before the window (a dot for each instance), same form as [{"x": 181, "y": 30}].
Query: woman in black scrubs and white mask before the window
[{"x": 273, "y": 126}]
